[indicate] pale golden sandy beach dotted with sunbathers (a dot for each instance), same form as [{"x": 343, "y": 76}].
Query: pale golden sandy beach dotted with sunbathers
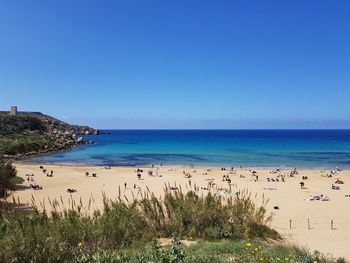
[{"x": 294, "y": 203}]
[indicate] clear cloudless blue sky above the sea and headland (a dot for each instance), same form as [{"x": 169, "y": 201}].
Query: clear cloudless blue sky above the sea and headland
[{"x": 179, "y": 64}]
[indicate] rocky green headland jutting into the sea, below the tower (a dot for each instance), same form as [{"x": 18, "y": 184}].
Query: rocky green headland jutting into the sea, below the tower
[{"x": 36, "y": 133}]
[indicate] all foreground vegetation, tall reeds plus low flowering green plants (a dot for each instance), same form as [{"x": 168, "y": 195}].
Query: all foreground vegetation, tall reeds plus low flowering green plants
[{"x": 112, "y": 235}]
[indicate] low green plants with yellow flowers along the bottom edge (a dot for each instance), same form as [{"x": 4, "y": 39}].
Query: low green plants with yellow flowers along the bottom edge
[{"x": 210, "y": 252}]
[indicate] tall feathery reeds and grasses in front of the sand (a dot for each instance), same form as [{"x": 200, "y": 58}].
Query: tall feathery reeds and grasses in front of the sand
[{"x": 61, "y": 236}]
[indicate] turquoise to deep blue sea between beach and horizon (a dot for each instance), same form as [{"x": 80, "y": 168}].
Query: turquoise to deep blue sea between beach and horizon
[{"x": 253, "y": 148}]
